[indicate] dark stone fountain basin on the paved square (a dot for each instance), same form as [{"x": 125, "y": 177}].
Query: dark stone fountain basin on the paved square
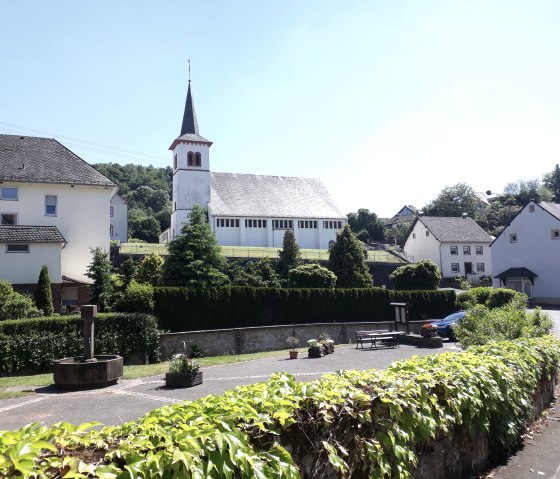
[{"x": 77, "y": 373}]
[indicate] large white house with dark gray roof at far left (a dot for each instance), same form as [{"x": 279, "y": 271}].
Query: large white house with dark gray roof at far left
[{"x": 53, "y": 209}]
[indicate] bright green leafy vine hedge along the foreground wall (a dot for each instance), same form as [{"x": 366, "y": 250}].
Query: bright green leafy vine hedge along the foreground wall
[{"x": 359, "y": 424}]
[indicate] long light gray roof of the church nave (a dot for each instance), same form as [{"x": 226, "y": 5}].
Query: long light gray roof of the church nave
[{"x": 266, "y": 196}]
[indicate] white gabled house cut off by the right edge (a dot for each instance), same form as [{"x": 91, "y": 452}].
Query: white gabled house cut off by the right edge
[{"x": 526, "y": 255}]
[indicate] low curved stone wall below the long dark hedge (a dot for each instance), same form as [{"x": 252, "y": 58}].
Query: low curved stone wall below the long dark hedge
[{"x": 264, "y": 338}]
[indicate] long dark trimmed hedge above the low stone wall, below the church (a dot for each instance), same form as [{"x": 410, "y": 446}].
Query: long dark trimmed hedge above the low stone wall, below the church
[{"x": 182, "y": 309}]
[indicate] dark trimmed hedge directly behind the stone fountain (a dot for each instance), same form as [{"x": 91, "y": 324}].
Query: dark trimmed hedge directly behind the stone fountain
[{"x": 33, "y": 344}]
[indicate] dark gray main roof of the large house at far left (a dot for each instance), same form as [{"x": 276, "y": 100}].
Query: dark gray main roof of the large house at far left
[{"x": 44, "y": 160}]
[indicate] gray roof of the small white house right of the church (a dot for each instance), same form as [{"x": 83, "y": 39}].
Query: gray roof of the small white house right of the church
[{"x": 460, "y": 230}]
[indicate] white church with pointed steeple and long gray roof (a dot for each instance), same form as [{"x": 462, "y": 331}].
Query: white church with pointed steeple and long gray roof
[{"x": 246, "y": 209}]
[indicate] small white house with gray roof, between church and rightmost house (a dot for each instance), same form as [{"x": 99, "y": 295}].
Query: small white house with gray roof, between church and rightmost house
[{"x": 459, "y": 246}]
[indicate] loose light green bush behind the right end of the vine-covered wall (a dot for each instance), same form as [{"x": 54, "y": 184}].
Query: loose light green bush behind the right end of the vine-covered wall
[{"x": 511, "y": 321}]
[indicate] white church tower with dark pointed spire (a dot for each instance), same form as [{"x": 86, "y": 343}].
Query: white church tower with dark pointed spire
[{"x": 191, "y": 169}]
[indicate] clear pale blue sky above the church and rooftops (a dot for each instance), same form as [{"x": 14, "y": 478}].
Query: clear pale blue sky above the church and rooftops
[{"x": 387, "y": 102}]
